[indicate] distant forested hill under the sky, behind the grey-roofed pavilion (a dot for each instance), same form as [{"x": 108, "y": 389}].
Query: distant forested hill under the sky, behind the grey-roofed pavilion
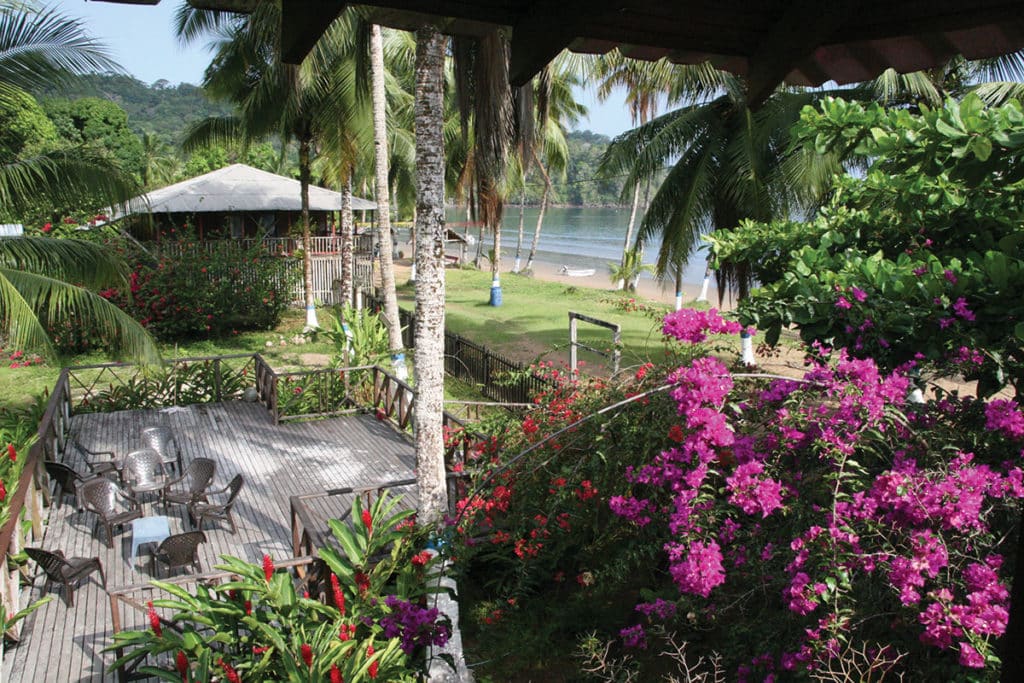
[{"x": 162, "y": 108}]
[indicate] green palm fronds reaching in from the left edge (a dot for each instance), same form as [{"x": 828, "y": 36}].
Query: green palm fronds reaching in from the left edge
[{"x": 36, "y": 48}]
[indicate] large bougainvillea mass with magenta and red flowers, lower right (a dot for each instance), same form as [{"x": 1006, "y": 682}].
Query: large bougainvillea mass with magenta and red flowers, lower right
[{"x": 795, "y": 527}]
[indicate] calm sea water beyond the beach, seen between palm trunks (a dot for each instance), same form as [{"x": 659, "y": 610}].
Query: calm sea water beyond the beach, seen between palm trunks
[{"x": 579, "y": 238}]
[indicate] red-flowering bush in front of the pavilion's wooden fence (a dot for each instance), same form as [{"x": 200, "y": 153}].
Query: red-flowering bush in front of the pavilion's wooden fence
[{"x": 200, "y": 290}]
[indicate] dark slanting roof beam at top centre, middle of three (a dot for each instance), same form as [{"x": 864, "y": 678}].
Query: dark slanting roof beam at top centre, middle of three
[{"x": 546, "y": 29}]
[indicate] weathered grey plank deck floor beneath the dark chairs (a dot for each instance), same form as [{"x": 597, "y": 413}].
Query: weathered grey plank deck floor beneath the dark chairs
[{"x": 66, "y": 645}]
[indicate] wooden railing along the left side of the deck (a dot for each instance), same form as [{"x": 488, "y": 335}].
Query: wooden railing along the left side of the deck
[{"x": 26, "y": 504}]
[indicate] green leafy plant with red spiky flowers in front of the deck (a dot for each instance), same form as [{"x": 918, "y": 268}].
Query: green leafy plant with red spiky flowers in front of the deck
[{"x": 369, "y": 619}]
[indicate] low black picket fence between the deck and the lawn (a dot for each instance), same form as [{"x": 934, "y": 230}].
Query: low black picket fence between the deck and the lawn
[{"x": 499, "y": 378}]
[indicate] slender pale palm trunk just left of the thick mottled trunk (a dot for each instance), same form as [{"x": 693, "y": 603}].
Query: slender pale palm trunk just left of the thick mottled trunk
[{"x": 385, "y": 203}]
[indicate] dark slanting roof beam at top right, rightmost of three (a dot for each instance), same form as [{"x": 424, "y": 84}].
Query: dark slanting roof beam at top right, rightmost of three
[{"x": 804, "y": 26}]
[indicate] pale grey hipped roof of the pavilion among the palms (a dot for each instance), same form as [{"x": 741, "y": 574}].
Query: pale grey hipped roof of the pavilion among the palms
[{"x": 240, "y": 188}]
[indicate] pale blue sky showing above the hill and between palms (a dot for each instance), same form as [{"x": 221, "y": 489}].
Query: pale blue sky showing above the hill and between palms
[{"x": 141, "y": 38}]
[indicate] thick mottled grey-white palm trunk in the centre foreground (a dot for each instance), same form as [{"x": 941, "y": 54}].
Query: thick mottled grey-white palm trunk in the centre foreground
[{"x": 430, "y": 348}]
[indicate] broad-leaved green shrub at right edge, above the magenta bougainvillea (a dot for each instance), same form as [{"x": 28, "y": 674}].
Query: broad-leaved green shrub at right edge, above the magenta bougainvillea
[{"x": 921, "y": 259}]
